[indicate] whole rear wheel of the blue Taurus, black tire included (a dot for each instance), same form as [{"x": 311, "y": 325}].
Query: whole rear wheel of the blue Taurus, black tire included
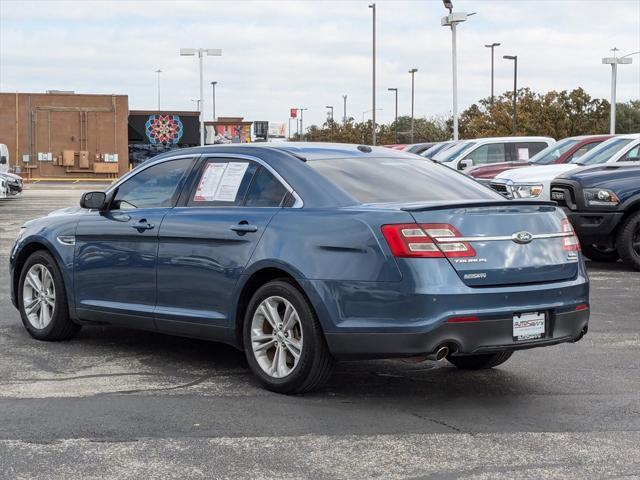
[{"x": 271, "y": 352}]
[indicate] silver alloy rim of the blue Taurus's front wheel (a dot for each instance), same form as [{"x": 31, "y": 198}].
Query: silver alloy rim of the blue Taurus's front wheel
[{"x": 39, "y": 296}]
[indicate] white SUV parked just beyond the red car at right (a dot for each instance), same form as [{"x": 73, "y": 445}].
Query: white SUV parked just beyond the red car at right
[{"x": 481, "y": 151}]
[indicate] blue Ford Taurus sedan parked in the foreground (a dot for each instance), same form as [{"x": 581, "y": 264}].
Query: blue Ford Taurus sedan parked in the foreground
[{"x": 304, "y": 254}]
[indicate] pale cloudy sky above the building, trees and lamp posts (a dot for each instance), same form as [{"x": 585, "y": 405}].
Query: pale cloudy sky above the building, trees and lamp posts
[{"x": 282, "y": 54}]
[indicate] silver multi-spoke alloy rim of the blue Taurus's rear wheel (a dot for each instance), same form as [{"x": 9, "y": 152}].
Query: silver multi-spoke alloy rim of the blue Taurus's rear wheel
[{"x": 276, "y": 336}]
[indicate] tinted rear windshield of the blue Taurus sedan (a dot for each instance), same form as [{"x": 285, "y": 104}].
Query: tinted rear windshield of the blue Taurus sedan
[{"x": 400, "y": 180}]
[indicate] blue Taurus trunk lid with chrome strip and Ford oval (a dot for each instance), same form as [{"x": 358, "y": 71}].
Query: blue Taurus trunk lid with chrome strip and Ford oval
[{"x": 515, "y": 242}]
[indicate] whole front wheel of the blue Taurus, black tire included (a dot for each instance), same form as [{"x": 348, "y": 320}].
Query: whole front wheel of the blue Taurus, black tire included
[{"x": 51, "y": 297}]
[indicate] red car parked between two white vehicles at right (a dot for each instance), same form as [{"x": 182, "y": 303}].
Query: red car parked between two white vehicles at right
[{"x": 561, "y": 152}]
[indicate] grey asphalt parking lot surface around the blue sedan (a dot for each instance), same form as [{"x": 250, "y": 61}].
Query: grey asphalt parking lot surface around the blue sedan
[{"x": 114, "y": 403}]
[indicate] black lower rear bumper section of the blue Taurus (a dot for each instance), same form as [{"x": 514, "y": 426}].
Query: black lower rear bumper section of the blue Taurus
[{"x": 484, "y": 336}]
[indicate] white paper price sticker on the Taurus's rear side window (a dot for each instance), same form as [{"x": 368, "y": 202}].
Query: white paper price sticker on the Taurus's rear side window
[{"x": 220, "y": 182}]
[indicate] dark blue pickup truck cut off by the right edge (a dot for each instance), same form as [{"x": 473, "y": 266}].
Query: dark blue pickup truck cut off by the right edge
[{"x": 603, "y": 205}]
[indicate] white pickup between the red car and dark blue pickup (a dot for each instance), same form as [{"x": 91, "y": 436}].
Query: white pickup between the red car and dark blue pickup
[{"x": 535, "y": 182}]
